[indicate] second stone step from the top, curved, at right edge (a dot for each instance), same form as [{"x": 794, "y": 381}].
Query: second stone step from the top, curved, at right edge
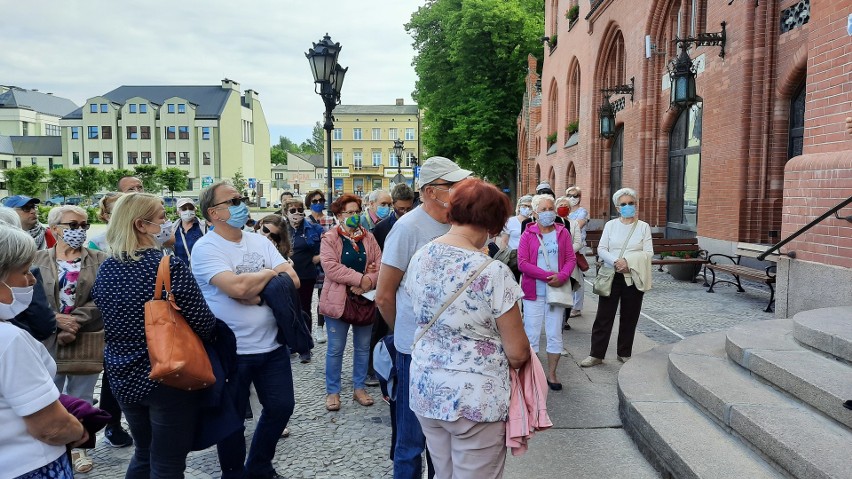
[{"x": 769, "y": 350}]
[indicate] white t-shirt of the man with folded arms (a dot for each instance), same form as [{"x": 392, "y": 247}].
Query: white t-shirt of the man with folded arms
[{"x": 254, "y": 326}]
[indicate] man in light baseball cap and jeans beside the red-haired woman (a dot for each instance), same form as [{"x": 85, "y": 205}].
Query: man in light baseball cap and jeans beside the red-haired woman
[{"x": 409, "y": 234}]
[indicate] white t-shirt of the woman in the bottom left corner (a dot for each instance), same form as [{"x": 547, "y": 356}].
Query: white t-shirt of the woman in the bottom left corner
[{"x": 26, "y": 387}]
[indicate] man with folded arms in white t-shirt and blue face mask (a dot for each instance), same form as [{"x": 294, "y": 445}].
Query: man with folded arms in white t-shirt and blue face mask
[{"x": 232, "y": 268}]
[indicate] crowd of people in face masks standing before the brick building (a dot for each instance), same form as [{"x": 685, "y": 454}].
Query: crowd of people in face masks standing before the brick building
[{"x": 456, "y": 282}]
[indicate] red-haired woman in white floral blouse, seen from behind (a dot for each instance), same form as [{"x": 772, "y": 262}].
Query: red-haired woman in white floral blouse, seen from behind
[{"x": 460, "y": 365}]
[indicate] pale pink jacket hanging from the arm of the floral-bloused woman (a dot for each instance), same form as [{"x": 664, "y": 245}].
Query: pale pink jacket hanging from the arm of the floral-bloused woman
[{"x": 527, "y": 405}]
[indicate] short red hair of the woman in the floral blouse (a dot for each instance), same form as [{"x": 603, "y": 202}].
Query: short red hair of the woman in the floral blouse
[{"x": 479, "y": 203}]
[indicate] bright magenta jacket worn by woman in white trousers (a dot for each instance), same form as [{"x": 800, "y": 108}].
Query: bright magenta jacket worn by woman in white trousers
[{"x": 528, "y": 258}]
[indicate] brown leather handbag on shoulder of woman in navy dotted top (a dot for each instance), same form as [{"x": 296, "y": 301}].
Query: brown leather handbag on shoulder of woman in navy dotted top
[{"x": 178, "y": 357}]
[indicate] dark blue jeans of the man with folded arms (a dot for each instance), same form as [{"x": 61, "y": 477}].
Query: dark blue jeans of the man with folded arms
[{"x": 273, "y": 380}]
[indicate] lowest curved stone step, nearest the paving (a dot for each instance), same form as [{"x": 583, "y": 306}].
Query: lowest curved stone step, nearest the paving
[{"x": 675, "y": 436}]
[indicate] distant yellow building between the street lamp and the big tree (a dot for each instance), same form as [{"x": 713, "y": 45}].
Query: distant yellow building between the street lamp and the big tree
[{"x": 362, "y": 146}]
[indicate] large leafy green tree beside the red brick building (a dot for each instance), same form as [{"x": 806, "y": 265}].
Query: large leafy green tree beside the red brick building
[{"x": 471, "y": 61}]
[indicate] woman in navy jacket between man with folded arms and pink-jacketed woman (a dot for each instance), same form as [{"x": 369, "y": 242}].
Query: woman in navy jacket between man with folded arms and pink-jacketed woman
[{"x": 305, "y": 238}]
